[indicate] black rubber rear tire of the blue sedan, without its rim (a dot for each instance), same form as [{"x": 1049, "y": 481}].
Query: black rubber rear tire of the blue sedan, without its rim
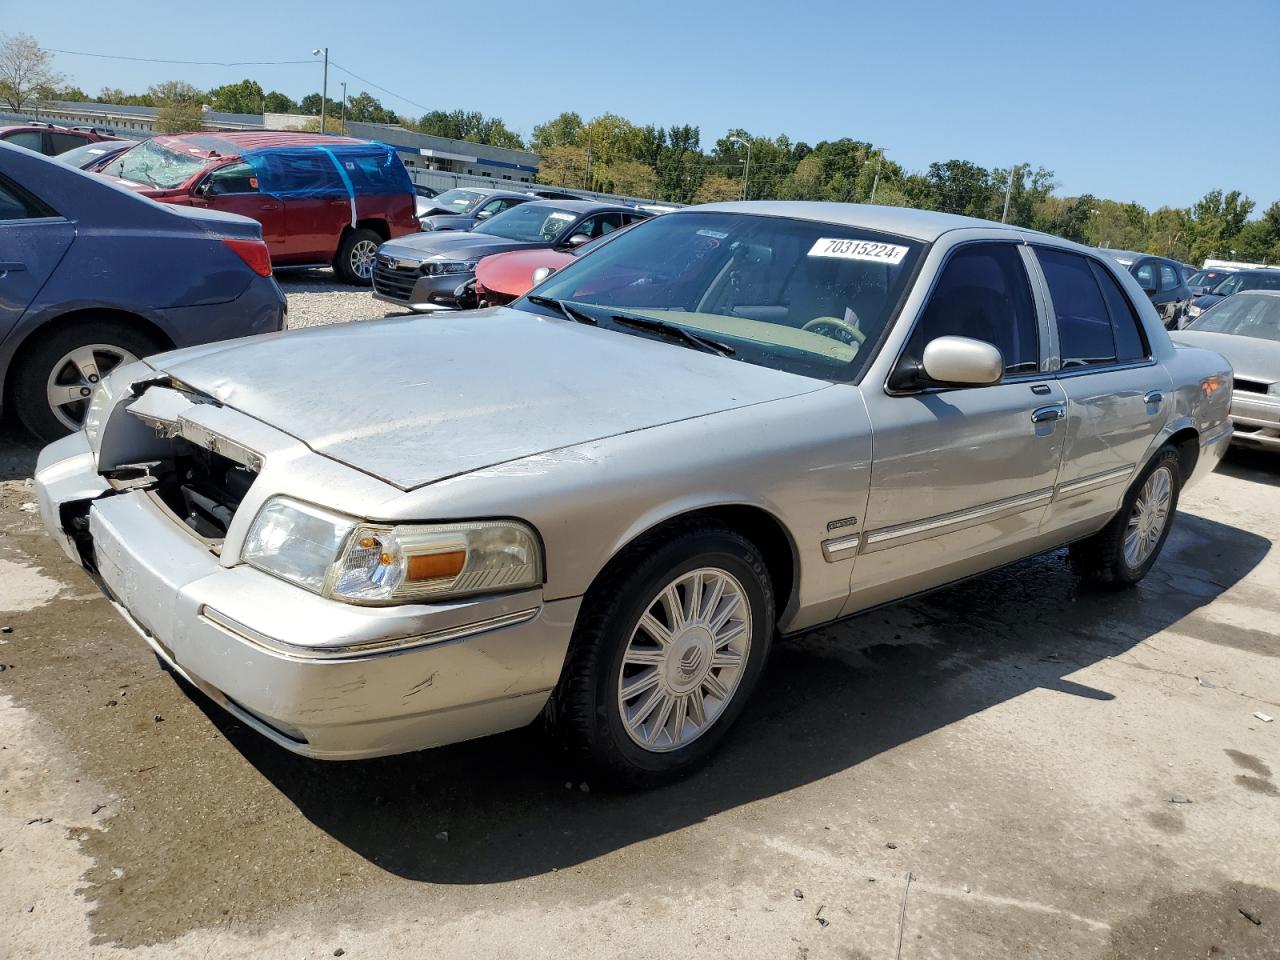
[{"x": 30, "y": 395}]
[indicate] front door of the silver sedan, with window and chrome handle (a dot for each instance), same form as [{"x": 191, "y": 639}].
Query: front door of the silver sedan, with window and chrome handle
[{"x": 962, "y": 477}]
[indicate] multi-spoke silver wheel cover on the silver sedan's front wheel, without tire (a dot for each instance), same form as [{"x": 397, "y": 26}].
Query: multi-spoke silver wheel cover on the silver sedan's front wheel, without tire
[{"x": 685, "y": 660}]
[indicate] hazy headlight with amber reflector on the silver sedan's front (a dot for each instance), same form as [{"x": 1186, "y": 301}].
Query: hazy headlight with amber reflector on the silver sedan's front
[{"x": 374, "y": 564}]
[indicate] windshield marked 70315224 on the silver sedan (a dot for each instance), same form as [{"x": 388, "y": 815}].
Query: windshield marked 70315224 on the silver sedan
[{"x": 793, "y": 295}]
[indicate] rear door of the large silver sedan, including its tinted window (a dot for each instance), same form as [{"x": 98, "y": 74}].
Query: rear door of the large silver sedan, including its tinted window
[{"x": 1118, "y": 397}]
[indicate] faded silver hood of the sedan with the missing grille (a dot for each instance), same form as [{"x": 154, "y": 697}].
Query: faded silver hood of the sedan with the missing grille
[{"x": 418, "y": 400}]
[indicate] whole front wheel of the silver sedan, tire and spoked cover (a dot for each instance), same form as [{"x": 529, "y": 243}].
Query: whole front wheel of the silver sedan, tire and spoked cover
[{"x": 666, "y": 653}]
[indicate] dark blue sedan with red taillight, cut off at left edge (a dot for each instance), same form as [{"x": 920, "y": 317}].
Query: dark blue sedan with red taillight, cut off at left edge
[{"x": 94, "y": 276}]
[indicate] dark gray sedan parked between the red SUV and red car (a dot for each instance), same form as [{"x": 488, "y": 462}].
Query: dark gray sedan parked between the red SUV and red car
[{"x": 429, "y": 272}]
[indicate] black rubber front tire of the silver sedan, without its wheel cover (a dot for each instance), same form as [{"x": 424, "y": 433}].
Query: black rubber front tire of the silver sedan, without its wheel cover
[{"x": 584, "y": 711}]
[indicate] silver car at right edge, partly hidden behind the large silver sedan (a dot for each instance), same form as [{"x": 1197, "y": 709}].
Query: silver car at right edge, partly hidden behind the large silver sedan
[{"x": 1246, "y": 330}]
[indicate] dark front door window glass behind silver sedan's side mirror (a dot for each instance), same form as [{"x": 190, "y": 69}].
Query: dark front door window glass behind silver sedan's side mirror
[{"x": 984, "y": 294}]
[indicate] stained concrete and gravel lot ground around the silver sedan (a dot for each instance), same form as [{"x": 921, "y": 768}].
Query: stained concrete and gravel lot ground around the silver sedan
[{"x": 1011, "y": 769}]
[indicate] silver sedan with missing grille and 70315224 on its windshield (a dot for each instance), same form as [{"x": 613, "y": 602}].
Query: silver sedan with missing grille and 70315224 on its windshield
[{"x": 604, "y": 505}]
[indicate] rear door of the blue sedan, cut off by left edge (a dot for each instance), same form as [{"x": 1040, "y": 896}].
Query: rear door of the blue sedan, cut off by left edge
[{"x": 33, "y": 241}]
